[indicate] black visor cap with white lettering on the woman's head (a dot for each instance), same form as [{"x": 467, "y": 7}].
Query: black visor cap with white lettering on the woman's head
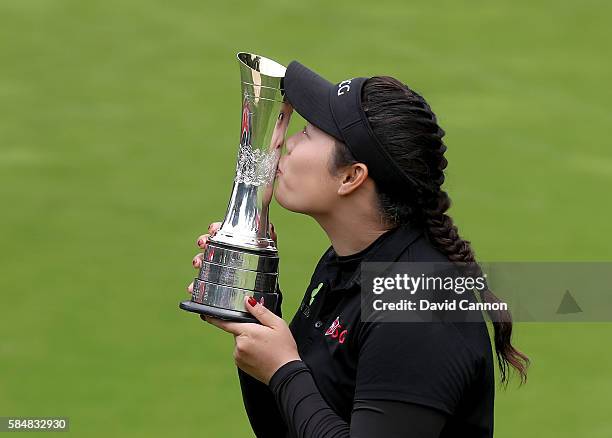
[{"x": 337, "y": 110}]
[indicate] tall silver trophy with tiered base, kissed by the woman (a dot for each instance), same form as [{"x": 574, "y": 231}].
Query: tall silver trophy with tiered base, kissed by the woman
[{"x": 241, "y": 259}]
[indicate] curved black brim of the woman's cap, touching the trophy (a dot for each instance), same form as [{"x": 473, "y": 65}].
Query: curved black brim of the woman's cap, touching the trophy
[{"x": 309, "y": 94}]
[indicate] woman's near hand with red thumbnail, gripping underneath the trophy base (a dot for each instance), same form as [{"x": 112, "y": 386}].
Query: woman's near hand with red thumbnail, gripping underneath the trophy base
[{"x": 260, "y": 350}]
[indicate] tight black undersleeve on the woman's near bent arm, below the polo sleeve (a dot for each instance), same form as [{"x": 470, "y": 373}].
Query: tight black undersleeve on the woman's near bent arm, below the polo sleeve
[{"x": 308, "y": 415}]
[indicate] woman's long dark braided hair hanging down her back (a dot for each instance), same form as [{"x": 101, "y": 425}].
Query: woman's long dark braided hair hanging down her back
[{"x": 408, "y": 129}]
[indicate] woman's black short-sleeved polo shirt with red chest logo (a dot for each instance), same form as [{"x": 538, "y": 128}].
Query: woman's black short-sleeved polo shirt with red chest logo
[{"x": 442, "y": 365}]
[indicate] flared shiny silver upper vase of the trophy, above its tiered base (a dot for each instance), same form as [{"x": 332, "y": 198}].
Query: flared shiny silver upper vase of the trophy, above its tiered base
[{"x": 262, "y": 134}]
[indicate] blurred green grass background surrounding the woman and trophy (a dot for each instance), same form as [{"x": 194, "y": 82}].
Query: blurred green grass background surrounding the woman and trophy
[{"x": 118, "y": 136}]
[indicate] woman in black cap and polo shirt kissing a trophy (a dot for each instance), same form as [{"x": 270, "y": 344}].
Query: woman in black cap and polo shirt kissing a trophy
[{"x": 368, "y": 167}]
